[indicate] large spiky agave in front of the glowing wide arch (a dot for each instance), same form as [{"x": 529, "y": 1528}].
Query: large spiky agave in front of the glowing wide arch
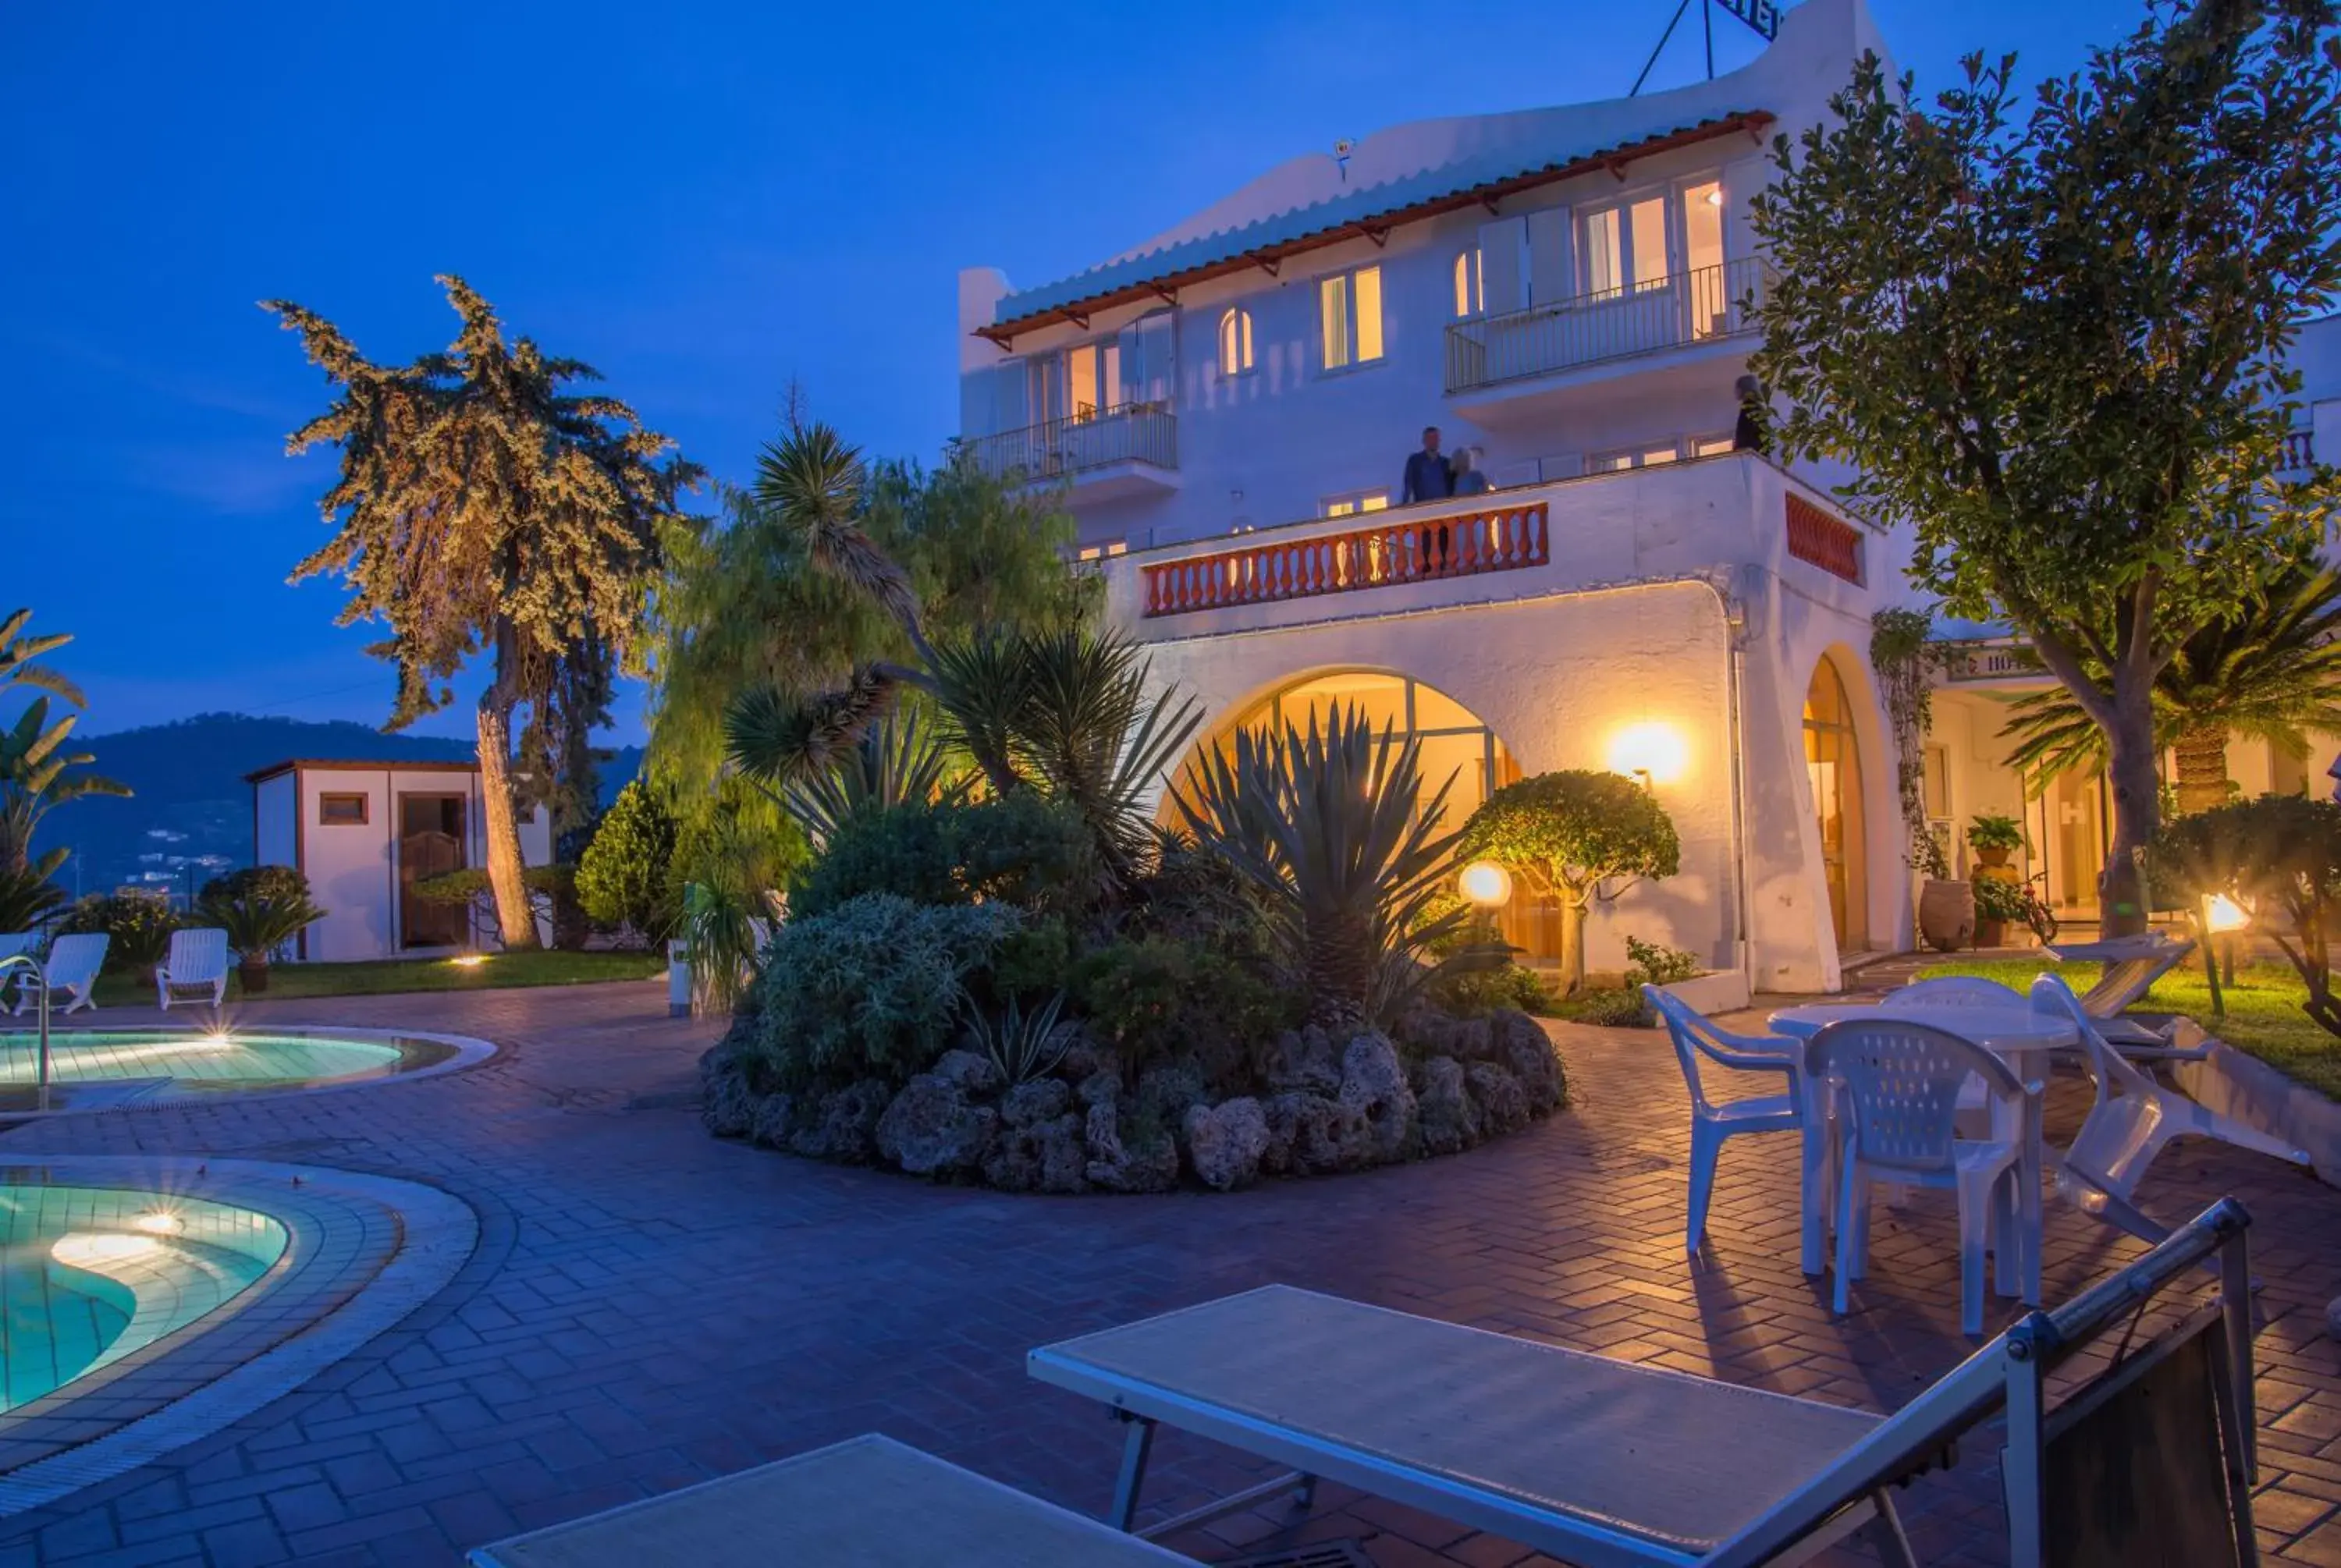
[{"x": 1336, "y": 830}]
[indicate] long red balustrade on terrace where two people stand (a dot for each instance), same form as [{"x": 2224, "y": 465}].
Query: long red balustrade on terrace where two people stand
[{"x": 1415, "y": 551}]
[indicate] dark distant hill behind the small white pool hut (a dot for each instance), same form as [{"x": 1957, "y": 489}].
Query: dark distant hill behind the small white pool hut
[{"x": 191, "y": 813}]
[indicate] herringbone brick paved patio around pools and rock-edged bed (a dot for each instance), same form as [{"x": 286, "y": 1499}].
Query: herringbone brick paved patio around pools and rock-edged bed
[{"x": 652, "y": 1307}]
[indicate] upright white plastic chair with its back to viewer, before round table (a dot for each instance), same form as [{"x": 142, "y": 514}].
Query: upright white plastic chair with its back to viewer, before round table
[{"x": 1900, "y": 1087}]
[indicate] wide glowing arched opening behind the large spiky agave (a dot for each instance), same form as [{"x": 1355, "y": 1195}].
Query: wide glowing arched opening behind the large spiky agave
[{"x": 1450, "y": 738}]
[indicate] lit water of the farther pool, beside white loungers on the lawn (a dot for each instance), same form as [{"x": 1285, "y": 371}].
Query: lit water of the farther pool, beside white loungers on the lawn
[{"x": 104, "y": 1068}]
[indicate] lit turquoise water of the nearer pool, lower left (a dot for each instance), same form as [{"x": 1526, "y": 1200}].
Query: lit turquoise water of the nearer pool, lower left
[{"x": 92, "y": 1274}]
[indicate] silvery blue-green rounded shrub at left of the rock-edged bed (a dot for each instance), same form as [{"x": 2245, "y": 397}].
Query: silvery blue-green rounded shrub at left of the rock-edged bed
[{"x": 870, "y": 989}]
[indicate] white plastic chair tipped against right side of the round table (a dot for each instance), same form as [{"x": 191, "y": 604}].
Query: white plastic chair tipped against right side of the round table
[{"x": 2131, "y": 1122}]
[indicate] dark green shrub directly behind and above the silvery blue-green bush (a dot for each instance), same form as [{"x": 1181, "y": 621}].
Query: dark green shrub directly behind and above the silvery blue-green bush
[{"x": 1017, "y": 848}]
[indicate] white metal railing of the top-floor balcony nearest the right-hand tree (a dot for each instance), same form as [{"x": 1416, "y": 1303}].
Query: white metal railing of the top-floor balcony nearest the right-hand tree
[{"x": 1616, "y": 324}]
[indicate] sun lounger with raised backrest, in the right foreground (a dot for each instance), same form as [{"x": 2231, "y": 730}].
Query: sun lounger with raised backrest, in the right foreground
[{"x": 1621, "y": 1466}]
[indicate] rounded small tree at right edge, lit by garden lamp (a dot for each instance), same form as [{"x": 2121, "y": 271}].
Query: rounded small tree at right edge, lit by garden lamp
[{"x": 2279, "y": 855}]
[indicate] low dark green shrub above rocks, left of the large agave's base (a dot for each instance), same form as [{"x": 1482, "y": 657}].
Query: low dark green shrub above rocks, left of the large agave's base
[{"x": 1155, "y": 998}]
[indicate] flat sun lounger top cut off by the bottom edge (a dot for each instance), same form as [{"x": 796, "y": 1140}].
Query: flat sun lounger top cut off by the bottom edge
[{"x": 867, "y": 1501}]
